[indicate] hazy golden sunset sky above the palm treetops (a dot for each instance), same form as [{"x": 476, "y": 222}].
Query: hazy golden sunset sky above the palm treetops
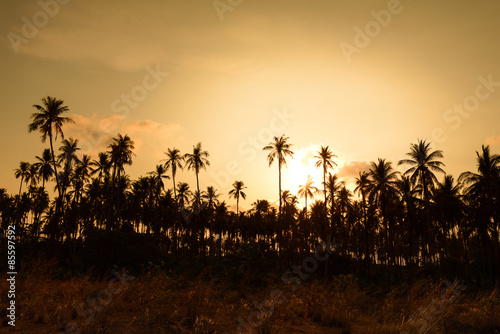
[{"x": 366, "y": 78}]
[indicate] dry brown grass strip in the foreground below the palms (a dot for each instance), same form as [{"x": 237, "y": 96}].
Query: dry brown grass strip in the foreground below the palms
[{"x": 159, "y": 303}]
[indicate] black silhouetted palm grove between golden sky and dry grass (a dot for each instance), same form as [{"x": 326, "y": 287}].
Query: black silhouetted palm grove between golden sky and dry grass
[{"x": 400, "y": 227}]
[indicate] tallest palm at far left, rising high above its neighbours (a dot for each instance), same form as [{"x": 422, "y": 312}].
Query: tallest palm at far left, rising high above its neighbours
[{"x": 49, "y": 122}]
